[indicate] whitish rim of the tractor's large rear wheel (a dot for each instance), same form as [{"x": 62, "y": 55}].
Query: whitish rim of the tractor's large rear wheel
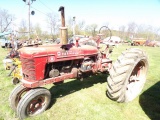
[{"x": 136, "y": 81}]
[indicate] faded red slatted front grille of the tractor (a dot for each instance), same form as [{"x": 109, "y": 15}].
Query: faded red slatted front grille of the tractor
[{"x": 28, "y": 68}]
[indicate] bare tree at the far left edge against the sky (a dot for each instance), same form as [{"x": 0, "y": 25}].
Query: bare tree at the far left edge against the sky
[{"x": 5, "y": 20}]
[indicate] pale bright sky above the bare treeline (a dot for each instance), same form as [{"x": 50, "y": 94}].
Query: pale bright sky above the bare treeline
[{"x": 113, "y": 12}]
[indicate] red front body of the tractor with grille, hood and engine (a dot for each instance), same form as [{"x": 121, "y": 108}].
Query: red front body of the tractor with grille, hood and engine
[{"x": 52, "y": 63}]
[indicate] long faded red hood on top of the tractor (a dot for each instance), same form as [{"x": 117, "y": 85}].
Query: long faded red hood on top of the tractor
[{"x": 57, "y": 51}]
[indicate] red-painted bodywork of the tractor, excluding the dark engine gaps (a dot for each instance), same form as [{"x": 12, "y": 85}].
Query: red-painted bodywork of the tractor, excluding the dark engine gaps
[{"x": 35, "y": 59}]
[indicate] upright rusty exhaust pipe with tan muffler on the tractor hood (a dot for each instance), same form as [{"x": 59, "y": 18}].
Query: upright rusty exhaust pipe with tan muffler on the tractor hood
[{"x": 63, "y": 29}]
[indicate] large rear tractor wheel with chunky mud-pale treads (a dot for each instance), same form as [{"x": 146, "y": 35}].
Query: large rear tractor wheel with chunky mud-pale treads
[{"x": 127, "y": 75}]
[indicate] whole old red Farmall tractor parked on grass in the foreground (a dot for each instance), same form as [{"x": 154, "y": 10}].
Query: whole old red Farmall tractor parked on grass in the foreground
[{"x": 43, "y": 65}]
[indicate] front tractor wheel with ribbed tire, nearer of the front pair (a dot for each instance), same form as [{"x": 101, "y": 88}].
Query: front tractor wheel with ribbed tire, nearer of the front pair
[{"x": 33, "y": 102}]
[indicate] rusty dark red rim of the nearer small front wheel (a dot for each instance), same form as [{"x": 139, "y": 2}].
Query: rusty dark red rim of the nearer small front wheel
[{"x": 36, "y": 105}]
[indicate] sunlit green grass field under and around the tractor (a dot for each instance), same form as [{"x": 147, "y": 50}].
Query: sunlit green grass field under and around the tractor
[{"x": 75, "y": 100}]
